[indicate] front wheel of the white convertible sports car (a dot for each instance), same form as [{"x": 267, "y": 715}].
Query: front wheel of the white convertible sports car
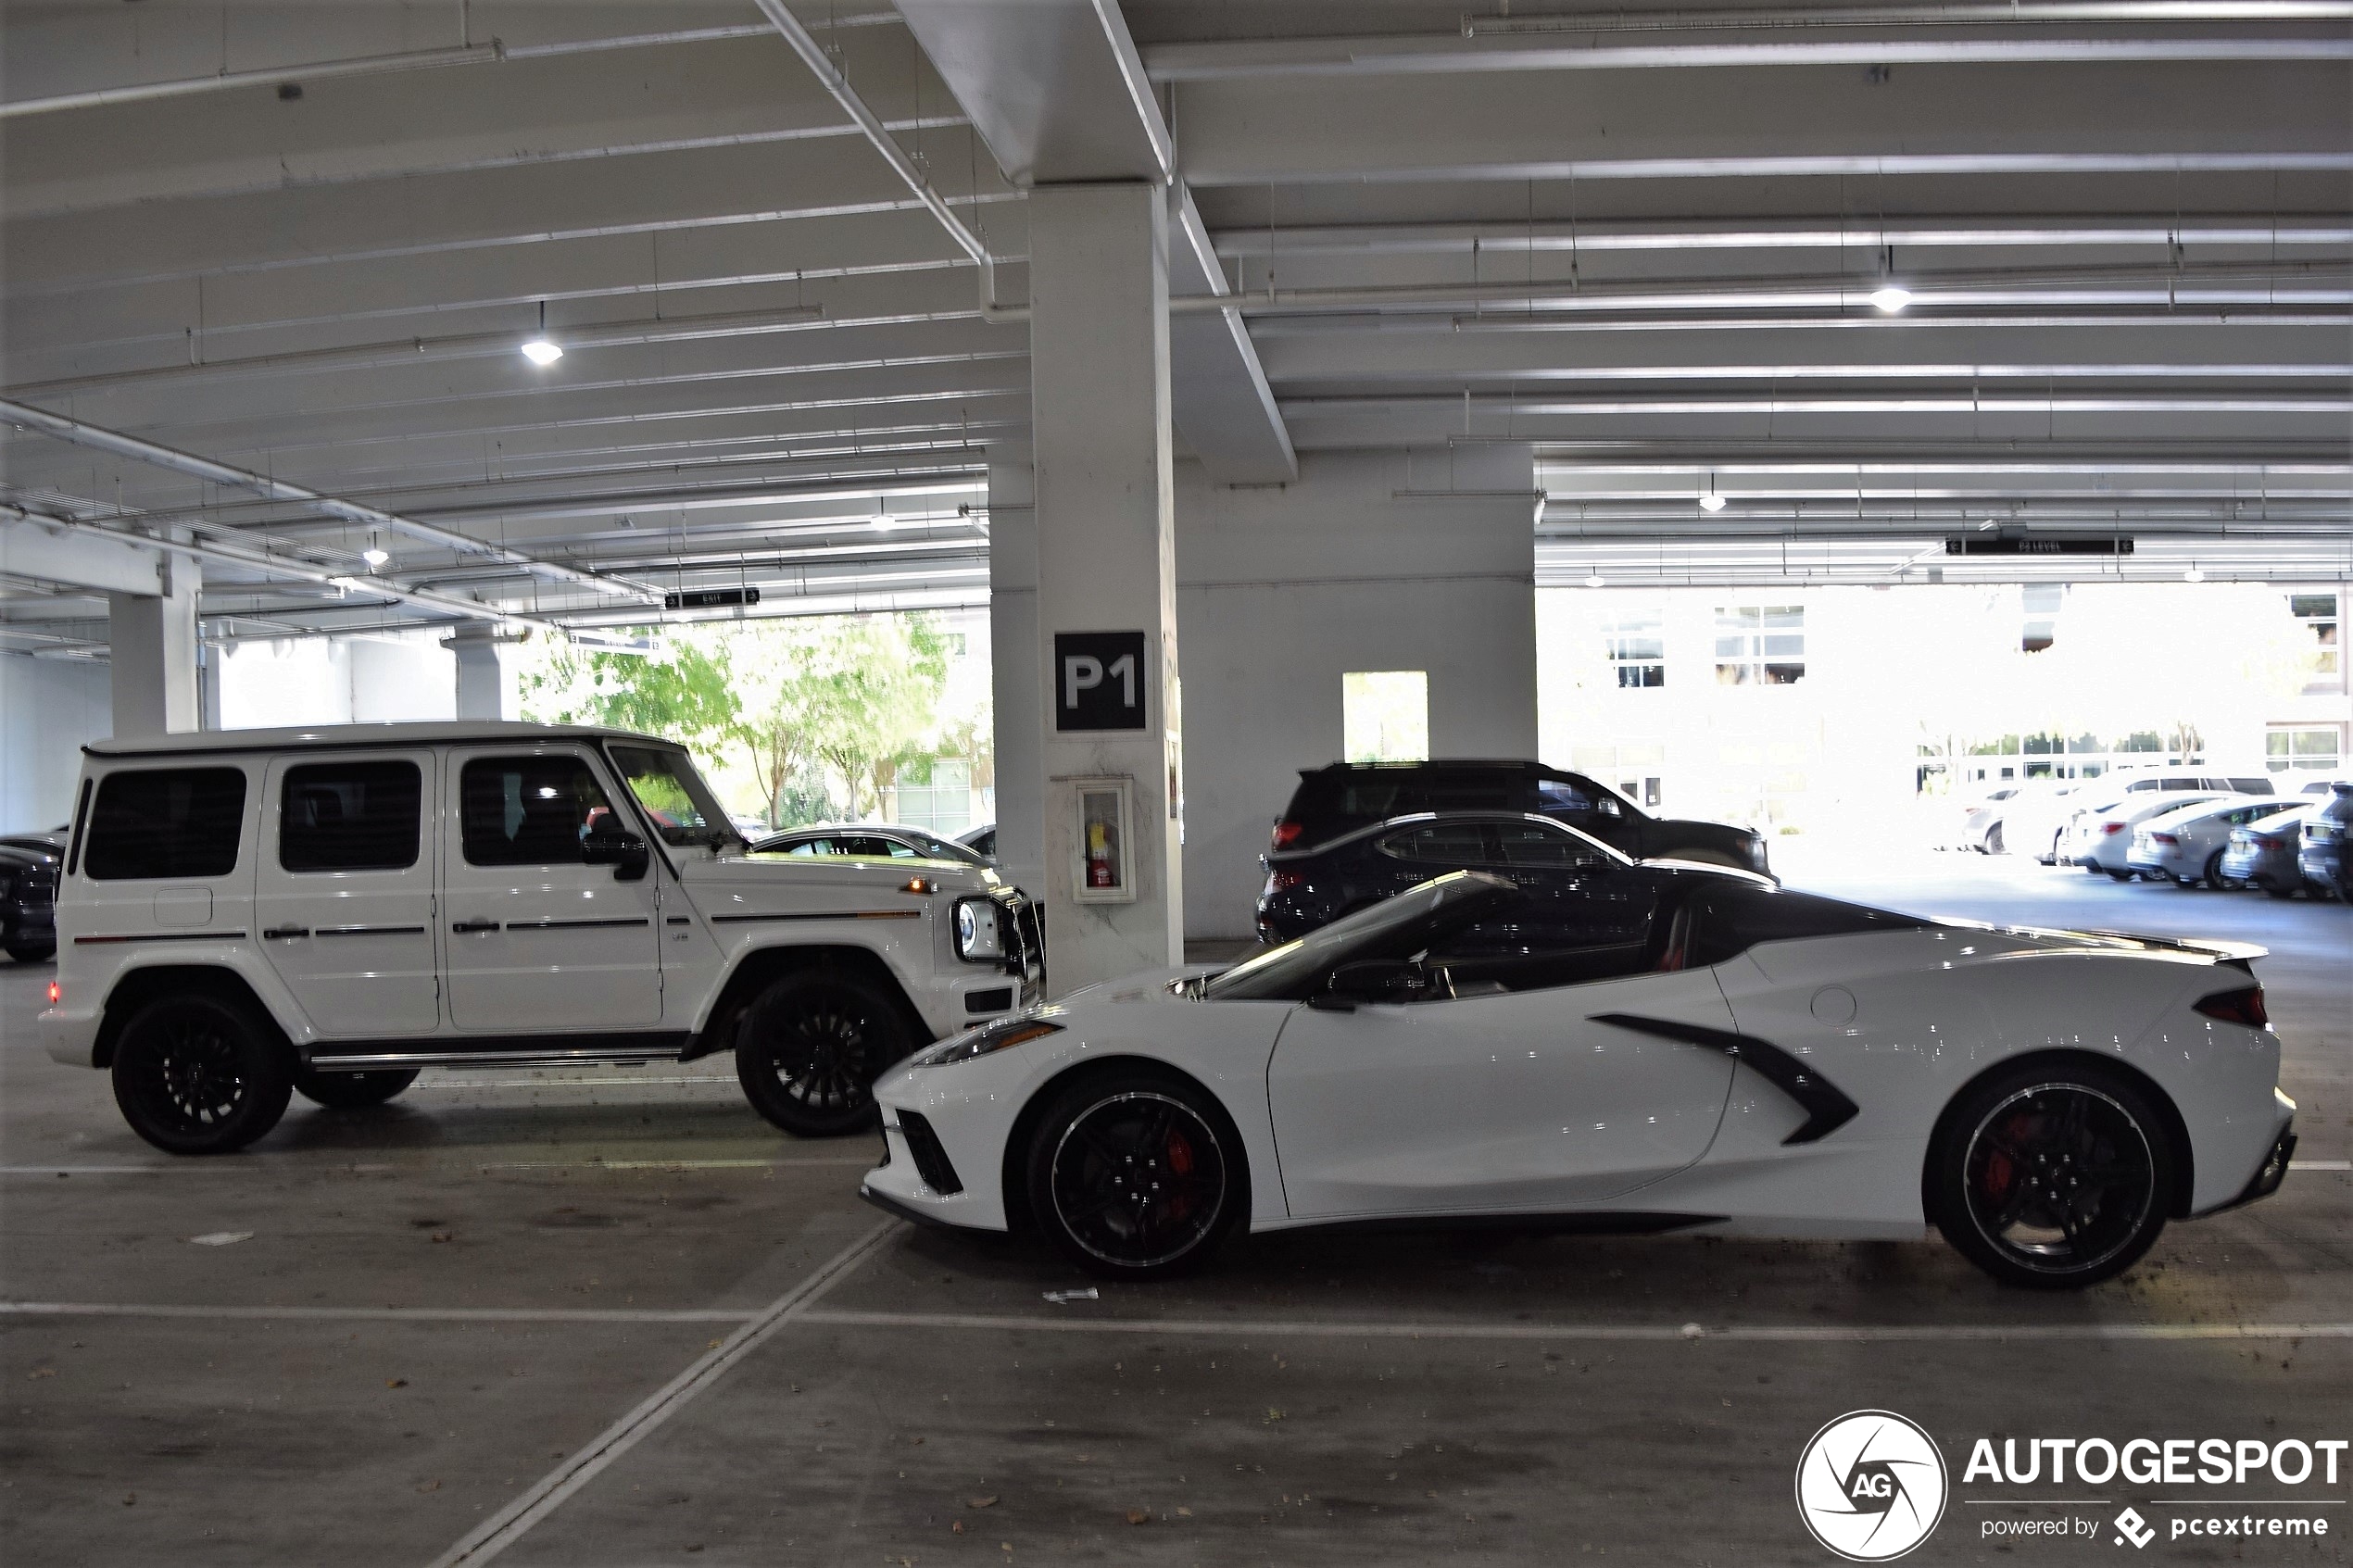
[{"x": 1138, "y": 1177}]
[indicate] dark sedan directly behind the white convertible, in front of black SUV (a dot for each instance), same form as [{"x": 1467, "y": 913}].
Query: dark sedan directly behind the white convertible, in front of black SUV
[{"x": 1578, "y": 887}]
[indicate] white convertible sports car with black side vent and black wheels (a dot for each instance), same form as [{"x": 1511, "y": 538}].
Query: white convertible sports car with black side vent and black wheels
[{"x": 1761, "y": 1064}]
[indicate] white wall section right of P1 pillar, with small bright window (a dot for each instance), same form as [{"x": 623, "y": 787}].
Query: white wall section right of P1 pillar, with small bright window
[{"x": 1286, "y": 589}]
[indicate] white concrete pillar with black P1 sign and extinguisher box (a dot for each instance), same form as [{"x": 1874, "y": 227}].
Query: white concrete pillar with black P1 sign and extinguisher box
[{"x": 1105, "y": 525}]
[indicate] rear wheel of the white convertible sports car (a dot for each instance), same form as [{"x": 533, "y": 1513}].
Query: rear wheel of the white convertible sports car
[{"x": 2053, "y": 1179}]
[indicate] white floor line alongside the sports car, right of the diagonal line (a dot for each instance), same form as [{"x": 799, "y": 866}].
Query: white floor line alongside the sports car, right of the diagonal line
[{"x": 1773, "y": 1334}]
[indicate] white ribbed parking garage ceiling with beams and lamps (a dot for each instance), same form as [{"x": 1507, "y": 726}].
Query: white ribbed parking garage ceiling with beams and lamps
[{"x": 1641, "y": 241}]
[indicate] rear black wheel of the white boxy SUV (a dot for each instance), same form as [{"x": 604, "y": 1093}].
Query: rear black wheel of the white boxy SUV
[{"x": 201, "y": 1076}]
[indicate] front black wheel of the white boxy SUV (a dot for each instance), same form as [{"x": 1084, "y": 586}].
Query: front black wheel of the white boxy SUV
[{"x": 813, "y": 1047}]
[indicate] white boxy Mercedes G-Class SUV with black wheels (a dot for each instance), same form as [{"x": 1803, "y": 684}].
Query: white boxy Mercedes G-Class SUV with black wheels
[{"x": 251, "y": 913}]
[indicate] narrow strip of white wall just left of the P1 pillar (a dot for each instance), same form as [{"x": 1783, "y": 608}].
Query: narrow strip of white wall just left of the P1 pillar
[{"x": 1013, "y": 634}]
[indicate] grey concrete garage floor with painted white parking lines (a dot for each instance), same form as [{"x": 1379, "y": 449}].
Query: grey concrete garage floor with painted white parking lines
[{"x": 615, "y": 1320}]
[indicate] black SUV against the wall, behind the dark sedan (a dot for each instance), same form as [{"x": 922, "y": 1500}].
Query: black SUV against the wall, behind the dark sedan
[{"x": 1349, "y": 796}]
